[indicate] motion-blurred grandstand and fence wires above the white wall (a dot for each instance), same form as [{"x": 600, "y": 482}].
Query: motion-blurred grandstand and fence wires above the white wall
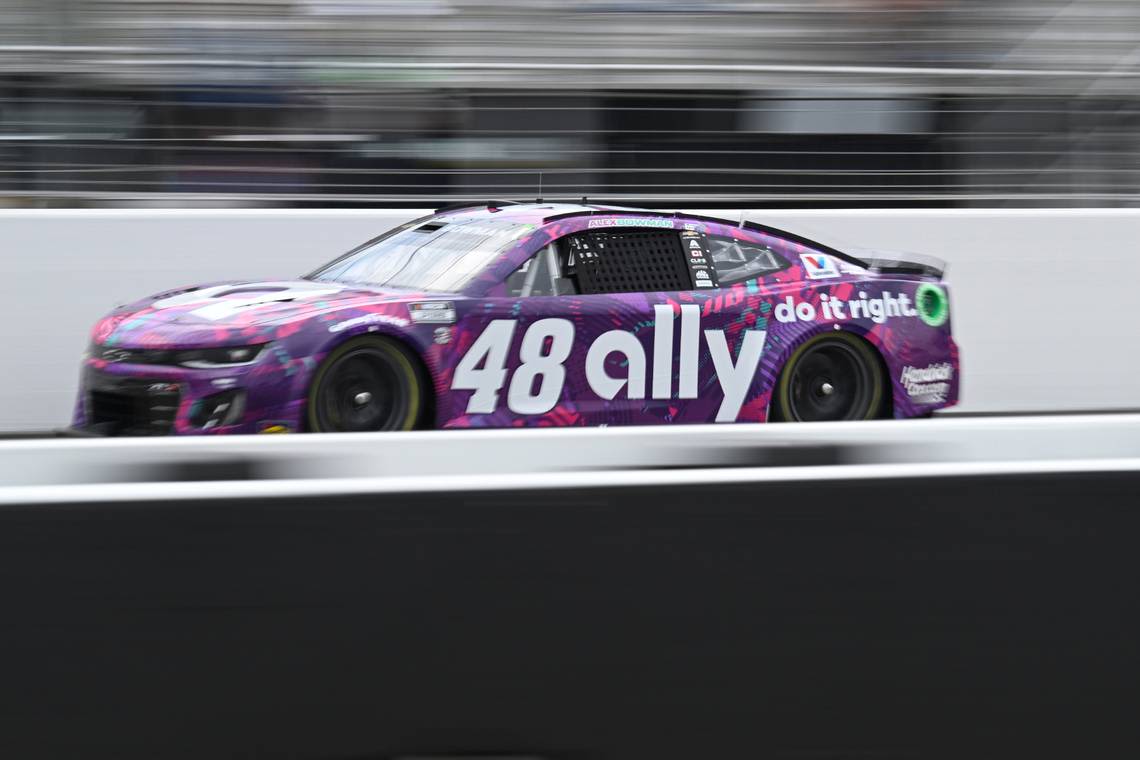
[{"x": 388, "y": 103}]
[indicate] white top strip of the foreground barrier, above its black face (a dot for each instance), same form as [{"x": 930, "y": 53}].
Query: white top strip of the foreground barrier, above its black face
[{"x": 429, "y": 461}]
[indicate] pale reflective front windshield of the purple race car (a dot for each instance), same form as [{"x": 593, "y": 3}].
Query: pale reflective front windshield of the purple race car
[{"x": 441, "y": 255}]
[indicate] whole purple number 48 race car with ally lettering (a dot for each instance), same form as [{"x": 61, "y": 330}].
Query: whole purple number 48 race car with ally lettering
[{"x": 508, "y": 315}]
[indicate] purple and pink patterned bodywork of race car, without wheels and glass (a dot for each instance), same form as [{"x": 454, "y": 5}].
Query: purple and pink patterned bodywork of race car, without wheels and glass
[{"x": 302, "y": 322}]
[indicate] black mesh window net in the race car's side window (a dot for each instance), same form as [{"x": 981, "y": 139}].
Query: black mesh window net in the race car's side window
[{"x": 626, "y": 261}]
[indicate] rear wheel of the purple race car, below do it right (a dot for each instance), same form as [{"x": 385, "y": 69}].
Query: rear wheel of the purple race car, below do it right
[{"x": 830, "y": 378}]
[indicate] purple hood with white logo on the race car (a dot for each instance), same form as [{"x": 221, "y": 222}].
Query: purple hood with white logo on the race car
[{"x": 224, "y": 313}]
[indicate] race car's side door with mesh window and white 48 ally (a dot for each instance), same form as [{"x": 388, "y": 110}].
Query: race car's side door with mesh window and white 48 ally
[{"x": 610, "y": 326}]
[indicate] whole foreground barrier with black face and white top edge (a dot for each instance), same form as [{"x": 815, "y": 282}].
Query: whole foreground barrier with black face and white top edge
[{"x": 595, "y": 609}]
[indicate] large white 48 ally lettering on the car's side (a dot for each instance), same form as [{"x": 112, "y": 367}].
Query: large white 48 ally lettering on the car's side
[{"x": 538, "y": 383}]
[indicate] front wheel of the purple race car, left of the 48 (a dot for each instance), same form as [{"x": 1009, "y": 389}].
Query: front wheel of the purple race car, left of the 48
[{"x": 367, "y": 385}]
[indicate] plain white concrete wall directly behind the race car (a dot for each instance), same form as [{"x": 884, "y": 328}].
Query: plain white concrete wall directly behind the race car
[{"x": 1044, "y": 300}]
